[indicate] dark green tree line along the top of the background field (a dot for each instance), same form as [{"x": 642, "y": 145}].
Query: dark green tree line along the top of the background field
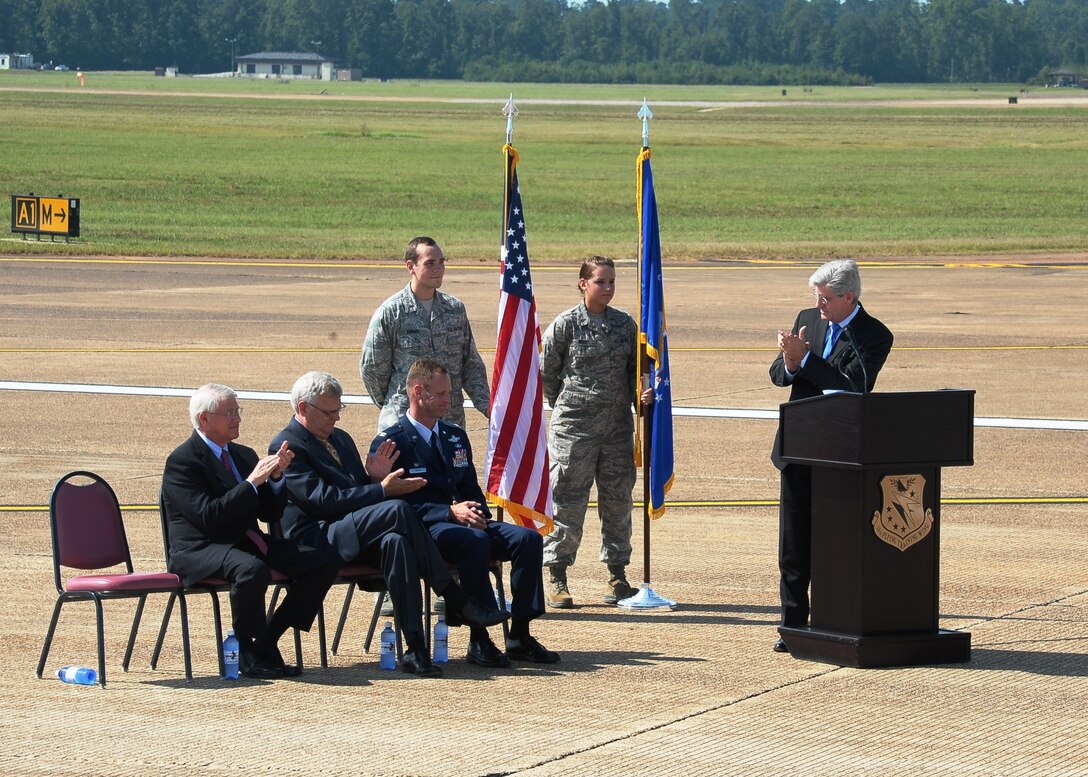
[{"x": 685, "y": 42}]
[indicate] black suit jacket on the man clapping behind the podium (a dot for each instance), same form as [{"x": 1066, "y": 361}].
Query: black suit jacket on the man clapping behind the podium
[{"x": 844, "y": 368}]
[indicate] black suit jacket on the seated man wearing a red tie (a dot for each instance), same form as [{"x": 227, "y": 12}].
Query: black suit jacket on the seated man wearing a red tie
[{"x": 209, "y": 512}]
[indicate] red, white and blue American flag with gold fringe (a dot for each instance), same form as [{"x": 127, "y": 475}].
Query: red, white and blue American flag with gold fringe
[{"x": 517, "y": 445}]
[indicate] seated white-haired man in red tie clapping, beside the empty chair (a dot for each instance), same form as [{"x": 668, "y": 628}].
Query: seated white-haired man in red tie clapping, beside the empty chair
[{"x": 214, "y": 492}]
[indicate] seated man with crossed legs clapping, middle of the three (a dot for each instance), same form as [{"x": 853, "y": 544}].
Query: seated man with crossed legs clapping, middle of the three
[{"x": 338, "y": 503}]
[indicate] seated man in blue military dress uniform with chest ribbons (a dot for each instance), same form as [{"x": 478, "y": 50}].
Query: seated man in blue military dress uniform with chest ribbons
[{"x": 454, "y": 509}]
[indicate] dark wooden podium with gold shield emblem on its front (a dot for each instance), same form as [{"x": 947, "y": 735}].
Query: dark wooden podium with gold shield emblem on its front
[{"x": 876, "y": 463}]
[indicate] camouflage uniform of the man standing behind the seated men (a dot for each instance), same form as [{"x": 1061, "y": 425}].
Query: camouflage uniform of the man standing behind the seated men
[{"x": 400, "y": 334}]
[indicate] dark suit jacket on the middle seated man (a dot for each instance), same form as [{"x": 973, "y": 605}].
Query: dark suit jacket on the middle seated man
[{"x": 322, "y": 492}]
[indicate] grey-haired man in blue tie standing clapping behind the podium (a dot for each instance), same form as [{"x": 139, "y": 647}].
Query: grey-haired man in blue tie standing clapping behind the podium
[{"x": 833, "y": 347}]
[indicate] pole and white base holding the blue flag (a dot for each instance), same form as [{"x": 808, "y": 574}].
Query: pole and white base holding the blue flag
[{"x": 647, "y": 599}]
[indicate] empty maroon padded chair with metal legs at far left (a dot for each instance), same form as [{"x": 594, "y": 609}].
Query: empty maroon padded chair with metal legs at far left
[{"x": 89, "y": 534}]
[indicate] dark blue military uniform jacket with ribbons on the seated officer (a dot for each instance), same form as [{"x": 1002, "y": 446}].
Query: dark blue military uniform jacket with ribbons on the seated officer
[{"x": 454, "y": 479}]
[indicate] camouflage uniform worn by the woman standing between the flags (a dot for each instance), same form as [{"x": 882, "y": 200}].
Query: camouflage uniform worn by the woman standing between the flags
[{"x": 589, "y": 367}]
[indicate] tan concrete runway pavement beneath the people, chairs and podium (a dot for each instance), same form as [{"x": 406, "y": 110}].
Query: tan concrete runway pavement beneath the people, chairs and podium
[{"x": 694, "y": 692}]
